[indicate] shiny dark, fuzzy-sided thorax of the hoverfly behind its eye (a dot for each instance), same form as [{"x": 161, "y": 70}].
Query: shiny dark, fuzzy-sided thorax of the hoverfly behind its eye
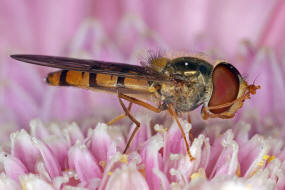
[{"x": 193, "y": 85}]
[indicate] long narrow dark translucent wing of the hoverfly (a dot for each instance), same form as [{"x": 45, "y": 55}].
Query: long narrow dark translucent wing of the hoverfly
[{"x": 94, "y": 66}]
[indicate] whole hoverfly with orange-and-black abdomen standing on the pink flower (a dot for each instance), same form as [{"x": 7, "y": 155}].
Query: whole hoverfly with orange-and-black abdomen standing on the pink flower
[{"x": 179, "y": 85}]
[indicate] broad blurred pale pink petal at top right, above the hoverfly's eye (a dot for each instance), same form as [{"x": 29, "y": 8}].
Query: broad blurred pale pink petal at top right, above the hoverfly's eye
[{"x": 227, "y": 28}]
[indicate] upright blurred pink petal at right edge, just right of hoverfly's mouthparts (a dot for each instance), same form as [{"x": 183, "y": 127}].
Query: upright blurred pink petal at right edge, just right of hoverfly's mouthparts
[{"x": 267, "y": 70}]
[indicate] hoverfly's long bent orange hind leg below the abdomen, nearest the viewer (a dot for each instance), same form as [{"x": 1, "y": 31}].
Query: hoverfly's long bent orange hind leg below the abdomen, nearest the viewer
[{"x": 138, "y": 102}]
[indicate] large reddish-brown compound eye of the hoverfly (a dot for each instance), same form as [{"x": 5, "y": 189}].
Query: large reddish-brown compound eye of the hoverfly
[{"x": 225, "y": 86}]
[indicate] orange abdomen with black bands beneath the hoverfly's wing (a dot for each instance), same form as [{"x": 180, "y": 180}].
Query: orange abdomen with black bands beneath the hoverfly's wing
[{"x": 95, "y": 80}]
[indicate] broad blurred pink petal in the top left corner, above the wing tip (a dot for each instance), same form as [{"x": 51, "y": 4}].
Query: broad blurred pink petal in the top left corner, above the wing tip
[{"x": 28, "y": 32}]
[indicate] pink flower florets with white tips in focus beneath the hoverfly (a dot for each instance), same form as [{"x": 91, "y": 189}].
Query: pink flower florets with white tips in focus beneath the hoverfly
[{"x": 224, "y": 158}]
